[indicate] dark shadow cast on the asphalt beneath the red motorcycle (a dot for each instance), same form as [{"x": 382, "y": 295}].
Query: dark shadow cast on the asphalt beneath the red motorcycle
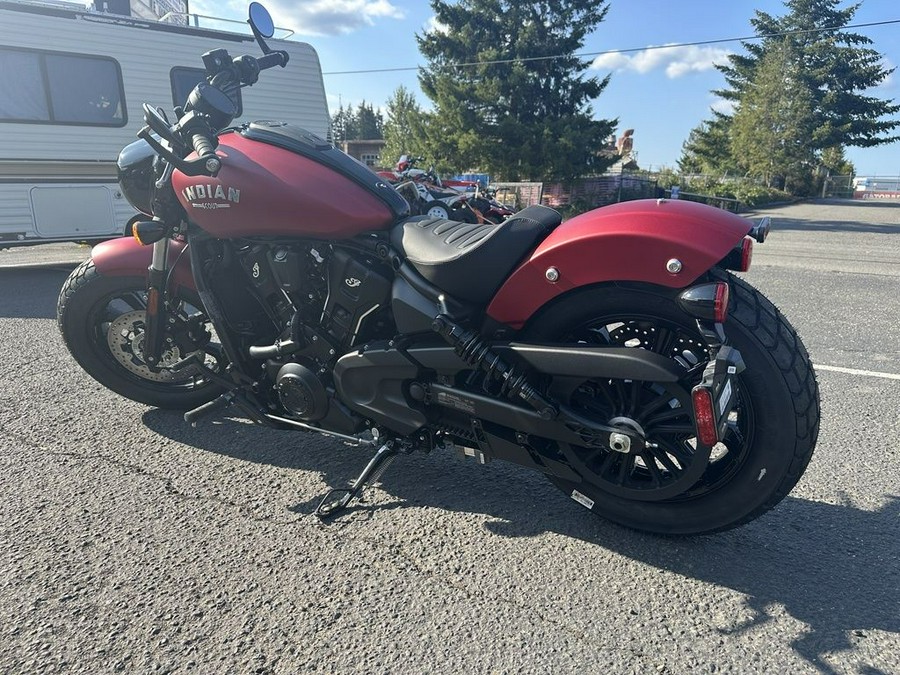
[{"x": 833, "y": 567}]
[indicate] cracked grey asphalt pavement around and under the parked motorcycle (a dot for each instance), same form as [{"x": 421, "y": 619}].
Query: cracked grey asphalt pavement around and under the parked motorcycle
[{"x": 130, "y": 542}]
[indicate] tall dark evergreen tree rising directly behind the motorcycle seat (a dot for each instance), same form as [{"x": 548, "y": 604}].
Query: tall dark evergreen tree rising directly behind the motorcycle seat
[{"x": 514, "y": 114}]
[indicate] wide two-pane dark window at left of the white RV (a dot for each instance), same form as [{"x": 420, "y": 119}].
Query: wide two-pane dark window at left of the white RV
[{"x": 57, "y": 88}]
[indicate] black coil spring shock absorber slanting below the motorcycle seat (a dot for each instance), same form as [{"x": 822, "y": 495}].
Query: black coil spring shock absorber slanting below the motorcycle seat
[{"x": 469, "y": 346}]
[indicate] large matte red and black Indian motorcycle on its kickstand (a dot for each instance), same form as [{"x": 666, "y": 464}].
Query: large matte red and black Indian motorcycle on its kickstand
[{"x": 615, "y": 353}]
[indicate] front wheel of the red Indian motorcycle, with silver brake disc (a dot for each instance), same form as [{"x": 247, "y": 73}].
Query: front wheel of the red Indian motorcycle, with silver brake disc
[{"x": 102, "y": 321}]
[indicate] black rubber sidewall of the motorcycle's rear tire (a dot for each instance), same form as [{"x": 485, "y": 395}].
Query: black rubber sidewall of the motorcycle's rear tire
[{"x": 774, "y": 435}]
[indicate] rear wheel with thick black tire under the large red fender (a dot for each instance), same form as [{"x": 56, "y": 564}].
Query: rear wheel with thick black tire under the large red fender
[{"x": 770, "y": 435}]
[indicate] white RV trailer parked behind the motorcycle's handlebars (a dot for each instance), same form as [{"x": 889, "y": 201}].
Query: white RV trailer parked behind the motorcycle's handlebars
[{"x": 72, "y": 82}]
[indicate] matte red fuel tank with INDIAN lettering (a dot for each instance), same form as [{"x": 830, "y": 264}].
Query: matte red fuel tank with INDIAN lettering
[{"x": 279, "y": 180}]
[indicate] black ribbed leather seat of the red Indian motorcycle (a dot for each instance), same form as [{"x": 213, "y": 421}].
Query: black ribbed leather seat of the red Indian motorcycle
[{"x": 471, "y": 261}]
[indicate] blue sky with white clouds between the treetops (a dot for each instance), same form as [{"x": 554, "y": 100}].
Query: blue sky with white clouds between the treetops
[{"x": 662, "y": 94}]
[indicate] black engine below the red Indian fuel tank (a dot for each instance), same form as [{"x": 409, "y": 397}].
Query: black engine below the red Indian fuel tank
[{"x": 322, "y": 301}]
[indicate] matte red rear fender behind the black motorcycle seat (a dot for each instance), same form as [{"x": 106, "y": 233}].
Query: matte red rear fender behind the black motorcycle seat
[{"x": 630, "y": 241}]
